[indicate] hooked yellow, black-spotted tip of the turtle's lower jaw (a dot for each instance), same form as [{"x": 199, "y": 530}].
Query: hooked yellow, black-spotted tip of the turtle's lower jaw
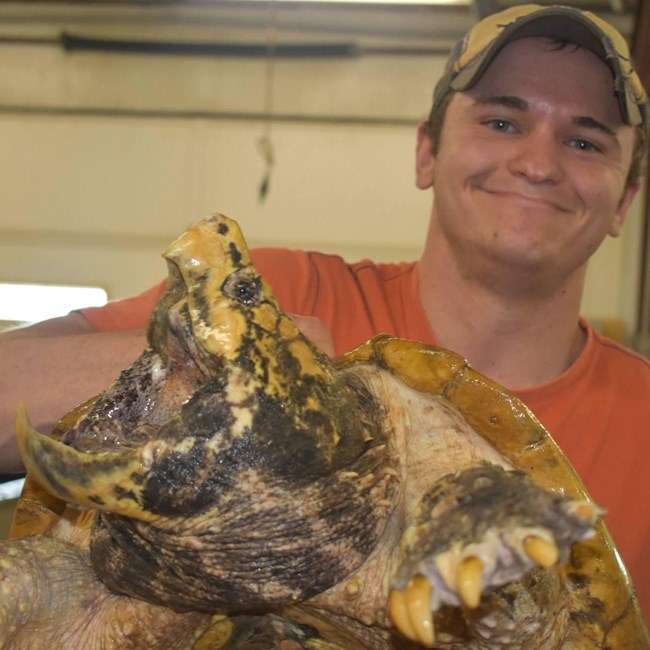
[{"x": 110, "y": 481}]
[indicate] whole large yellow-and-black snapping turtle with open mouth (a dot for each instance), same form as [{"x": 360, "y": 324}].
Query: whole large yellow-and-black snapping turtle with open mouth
[{"x": 234, "y": 488}]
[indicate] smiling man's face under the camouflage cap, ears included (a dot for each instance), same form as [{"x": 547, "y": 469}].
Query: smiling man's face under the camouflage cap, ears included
[{"x": 531, "y": 168}]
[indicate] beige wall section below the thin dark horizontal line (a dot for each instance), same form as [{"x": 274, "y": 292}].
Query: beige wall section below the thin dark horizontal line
[{"x": 96, "y": 200}]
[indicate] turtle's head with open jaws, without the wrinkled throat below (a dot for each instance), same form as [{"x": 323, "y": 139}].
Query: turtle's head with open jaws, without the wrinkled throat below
[{"x": 227, "y": 380}]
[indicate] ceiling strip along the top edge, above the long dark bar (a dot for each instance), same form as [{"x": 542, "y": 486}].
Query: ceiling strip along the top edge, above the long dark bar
[{"x": 436, "y": 26}]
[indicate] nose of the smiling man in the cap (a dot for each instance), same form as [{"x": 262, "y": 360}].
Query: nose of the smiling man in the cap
[{"x": 537, "y": 157}]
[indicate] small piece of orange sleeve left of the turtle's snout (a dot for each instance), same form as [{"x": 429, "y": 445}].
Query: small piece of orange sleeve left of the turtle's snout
[{"x": 127, "y": 314}]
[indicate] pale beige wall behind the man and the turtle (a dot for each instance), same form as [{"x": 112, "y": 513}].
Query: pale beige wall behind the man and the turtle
[{"x": 104, "y": 158}]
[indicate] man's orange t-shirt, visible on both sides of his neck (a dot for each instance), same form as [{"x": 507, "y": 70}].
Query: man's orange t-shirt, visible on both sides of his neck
[{"x": 598, "y": 411}]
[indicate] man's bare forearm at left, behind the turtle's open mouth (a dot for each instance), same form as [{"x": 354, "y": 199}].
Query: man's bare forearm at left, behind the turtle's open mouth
[{"x": 52, "y": 367}]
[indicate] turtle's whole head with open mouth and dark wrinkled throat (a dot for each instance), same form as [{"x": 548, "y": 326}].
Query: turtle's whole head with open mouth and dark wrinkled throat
[{"x": 230, "y": 425}]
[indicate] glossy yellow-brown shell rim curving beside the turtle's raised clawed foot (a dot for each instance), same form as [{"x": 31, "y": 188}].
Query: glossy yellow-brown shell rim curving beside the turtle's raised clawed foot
[{"x": 604, "y": 605}]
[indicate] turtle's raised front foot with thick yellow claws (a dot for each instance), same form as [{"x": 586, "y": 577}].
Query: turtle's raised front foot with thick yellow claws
[{"x": 482, "y": 562}]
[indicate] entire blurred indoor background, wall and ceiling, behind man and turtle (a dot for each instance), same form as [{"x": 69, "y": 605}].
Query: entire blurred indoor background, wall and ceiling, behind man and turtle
[{"x": 123, "y": 122}]
